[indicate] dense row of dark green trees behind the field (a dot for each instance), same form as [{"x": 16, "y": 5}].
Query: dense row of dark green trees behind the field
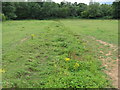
[{"x": 50, "y": 10}]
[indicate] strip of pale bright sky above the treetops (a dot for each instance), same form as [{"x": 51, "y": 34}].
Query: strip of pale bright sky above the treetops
[{"x": 83, "y": 1}]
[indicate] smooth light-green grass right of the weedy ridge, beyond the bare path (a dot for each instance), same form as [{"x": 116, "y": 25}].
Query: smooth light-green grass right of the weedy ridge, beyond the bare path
[{"x": 106, "y": 30}]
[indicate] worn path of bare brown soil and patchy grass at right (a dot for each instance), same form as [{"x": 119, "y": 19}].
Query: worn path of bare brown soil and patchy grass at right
[{"x": 108, "y": 54}]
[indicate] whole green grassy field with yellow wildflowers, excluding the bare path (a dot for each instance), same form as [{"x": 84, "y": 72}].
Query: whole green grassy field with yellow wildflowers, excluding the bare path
[{"x": 56, "y": 53}]
